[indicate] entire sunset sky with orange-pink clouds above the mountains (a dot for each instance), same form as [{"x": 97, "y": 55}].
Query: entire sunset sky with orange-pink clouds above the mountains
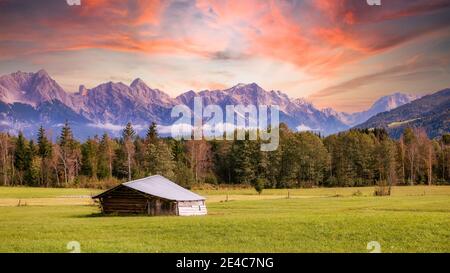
[{"x": 342, "y": 54}]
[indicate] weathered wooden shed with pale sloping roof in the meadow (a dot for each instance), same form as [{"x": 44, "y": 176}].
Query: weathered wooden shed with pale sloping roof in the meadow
[{"x": 153, "y": 195}]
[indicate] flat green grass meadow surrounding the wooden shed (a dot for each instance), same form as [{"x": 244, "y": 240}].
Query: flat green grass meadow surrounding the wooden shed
[{"x": 413, "y": 219}]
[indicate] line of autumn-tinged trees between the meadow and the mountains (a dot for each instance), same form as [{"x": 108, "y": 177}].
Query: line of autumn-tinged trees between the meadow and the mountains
[{"x": 303, "y": 159}]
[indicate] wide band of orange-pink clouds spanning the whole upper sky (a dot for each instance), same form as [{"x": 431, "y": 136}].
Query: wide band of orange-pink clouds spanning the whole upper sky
[{"x": 345, "y": 31}]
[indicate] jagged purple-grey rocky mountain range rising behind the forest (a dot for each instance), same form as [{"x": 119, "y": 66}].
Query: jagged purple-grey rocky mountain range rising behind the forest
[{"x": 28, "y": 100}]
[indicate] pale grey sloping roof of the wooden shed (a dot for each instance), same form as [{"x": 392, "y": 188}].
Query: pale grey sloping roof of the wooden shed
[{"x": 160, "y": 186}]
